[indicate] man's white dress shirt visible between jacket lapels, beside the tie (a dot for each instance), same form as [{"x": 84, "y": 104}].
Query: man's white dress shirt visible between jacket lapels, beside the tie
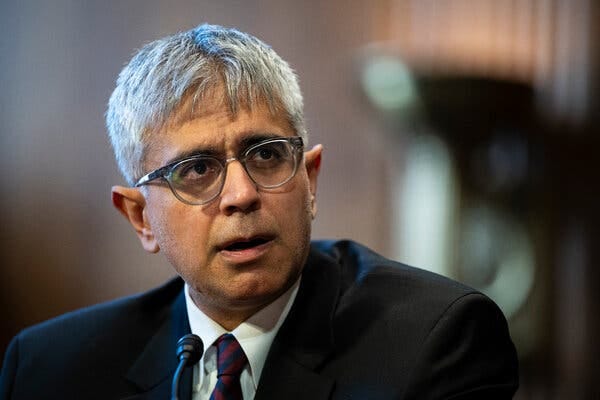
[{"x": 255, "y": 336}]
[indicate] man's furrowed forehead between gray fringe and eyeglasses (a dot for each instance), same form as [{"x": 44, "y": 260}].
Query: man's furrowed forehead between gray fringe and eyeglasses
[{"x": 213, "y": 128}]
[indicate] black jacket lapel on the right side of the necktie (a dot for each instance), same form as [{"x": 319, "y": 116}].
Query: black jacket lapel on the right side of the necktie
[{"x": 305, "y": 340}]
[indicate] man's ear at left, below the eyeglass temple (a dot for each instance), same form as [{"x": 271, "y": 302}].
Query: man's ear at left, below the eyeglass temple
[{"x": 131, "y": 204}]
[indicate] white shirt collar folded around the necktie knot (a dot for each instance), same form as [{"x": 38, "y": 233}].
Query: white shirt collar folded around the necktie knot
[{"x": 255, "y": 335}]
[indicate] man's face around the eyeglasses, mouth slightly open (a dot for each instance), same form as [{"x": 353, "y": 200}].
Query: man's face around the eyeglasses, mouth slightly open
[{"x": 245, "y": 248}]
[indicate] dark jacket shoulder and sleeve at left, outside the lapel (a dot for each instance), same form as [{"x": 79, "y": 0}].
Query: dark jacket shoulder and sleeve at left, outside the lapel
[{"x": 95, "y": 344}]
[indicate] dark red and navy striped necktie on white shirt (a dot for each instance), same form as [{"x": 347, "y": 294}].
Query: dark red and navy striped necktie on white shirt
[{"x": 230, "y": 363}]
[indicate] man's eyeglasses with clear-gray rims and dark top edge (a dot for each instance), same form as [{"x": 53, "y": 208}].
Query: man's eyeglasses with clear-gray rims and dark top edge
[{"x": 199, "y": 179}]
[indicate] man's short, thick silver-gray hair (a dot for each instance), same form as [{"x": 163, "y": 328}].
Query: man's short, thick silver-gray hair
[{"x": 163, "y": 73}]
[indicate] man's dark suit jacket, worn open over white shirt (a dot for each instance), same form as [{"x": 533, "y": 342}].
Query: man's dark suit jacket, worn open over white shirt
[{"x": 362, "y": 327}]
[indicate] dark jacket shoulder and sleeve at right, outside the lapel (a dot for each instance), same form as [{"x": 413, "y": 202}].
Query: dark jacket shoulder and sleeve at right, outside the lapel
[{"x": 415, "y": 322}]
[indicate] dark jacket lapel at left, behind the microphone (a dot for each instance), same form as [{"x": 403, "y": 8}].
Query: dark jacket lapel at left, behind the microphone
[{"x": 153, "y": 370}]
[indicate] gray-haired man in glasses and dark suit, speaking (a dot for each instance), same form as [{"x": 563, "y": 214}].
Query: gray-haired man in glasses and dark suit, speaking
[{"x": 208, "y": 131}]
